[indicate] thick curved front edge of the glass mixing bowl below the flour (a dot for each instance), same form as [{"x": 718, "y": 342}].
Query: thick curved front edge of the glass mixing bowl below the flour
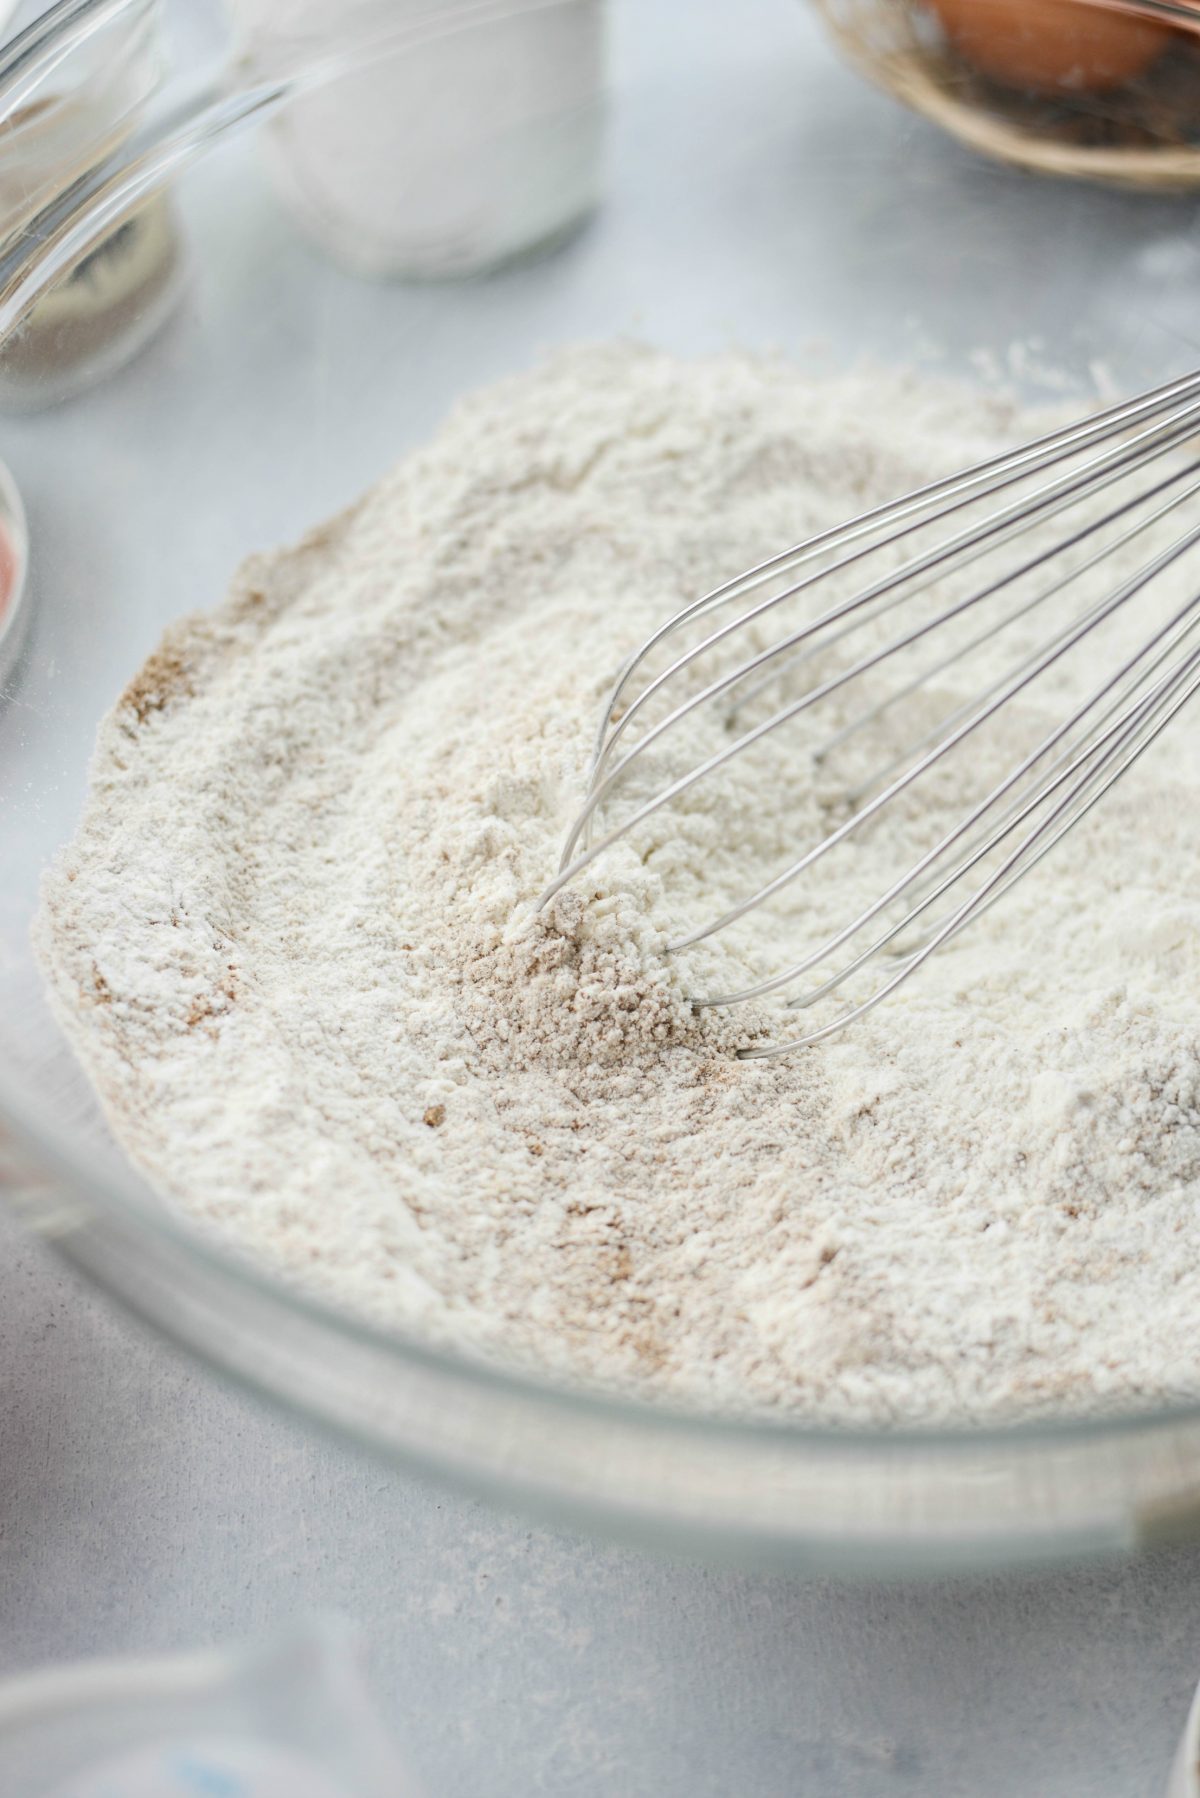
[{"x": 659, "y": 1520}]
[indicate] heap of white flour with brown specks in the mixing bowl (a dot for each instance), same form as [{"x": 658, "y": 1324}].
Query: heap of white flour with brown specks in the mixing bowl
[{"x": 283, "y": 948}]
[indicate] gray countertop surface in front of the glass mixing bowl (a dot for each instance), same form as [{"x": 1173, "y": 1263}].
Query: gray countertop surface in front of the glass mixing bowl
[{"x": 145, "y": 1508}]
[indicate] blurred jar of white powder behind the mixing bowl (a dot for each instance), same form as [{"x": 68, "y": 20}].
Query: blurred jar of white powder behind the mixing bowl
[{"x": 447, "y": 157}]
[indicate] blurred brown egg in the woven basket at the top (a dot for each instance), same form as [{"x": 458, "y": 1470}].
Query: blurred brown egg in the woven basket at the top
[{"x": 1048, "y": 46}]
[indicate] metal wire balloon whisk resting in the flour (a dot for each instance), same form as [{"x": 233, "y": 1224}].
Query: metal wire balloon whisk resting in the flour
[{"x": 870, "y": 621}]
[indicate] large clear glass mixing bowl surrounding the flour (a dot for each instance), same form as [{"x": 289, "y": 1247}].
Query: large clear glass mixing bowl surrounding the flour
[{"x": 755, "y": 195}]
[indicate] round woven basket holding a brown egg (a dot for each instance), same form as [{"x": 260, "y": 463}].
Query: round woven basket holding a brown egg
[{"x": 1104, "y": 91}]
